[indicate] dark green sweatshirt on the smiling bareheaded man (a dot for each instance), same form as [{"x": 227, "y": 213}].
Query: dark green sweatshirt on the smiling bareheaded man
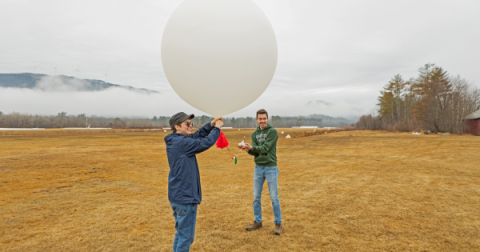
[{"x": 264, "y": 143}]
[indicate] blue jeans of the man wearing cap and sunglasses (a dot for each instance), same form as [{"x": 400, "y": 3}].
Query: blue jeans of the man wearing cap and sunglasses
[{"x": 185, "y": 220}]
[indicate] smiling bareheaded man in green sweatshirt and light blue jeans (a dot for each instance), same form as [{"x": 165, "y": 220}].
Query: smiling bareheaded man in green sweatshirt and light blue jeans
[{"x": 264, "y": 148}]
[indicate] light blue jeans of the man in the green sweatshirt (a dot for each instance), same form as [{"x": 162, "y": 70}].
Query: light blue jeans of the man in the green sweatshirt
[{"x": 271, "y": 174}]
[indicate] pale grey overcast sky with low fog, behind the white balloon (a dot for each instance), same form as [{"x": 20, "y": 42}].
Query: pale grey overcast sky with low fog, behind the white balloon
[{"x": 334, "y": 56}]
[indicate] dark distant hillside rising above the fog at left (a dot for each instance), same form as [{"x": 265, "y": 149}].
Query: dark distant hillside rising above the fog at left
[{"x": 61, "y": 82}]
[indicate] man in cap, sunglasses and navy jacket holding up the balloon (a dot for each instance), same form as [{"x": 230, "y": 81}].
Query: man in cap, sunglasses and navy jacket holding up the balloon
[{"x": 184, "y": 189}]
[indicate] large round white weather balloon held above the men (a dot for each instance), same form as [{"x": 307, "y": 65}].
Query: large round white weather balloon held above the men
[{"x": 219, "y": 55}]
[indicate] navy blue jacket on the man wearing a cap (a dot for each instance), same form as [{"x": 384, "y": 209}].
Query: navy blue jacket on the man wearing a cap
[{"x": 184, "y": 178}]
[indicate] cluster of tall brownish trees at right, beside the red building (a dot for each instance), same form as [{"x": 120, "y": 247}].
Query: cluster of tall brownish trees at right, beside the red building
[{"x": 433, "y": 101}]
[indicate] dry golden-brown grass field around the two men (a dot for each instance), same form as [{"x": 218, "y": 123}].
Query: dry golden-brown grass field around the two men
[{"x": 345, "y": 191}]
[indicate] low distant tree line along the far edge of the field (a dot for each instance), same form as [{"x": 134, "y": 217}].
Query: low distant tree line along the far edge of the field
[{"x": 62, "y": 120}]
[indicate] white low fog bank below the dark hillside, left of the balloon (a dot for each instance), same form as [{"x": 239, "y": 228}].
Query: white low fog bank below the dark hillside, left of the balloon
[{"x": 111, "y": 102}]
